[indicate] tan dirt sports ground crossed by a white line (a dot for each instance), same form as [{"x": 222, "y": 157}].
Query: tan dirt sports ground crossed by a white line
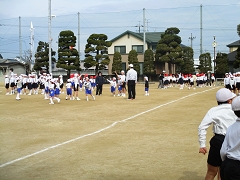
[{"x": 150, "y": 138}]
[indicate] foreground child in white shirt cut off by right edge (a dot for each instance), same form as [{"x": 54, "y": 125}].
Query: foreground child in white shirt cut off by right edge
[{"x": 230, "y": 151}]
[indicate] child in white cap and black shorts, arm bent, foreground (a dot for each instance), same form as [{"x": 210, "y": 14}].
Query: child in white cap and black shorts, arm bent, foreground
[{"x": 221, "y": 117}]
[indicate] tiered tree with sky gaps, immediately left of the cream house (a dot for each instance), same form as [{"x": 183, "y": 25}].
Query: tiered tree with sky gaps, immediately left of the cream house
[{"x": 96, "y": 52}]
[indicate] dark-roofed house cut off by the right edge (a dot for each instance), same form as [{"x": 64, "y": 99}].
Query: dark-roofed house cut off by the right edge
[{"x": 232, "y": 54}]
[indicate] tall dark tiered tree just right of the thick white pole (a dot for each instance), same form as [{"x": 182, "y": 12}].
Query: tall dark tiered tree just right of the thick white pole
[{"x": 68, "y": 56}]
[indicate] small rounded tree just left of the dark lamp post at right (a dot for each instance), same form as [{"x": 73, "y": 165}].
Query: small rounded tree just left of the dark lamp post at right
[{"x": 205, "y": 62}]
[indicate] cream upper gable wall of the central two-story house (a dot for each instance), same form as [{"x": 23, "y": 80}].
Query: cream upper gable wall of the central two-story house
[{"x": 127, "y": 40}]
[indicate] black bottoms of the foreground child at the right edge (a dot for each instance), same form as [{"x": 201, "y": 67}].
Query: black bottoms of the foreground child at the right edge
[{"x": 230, "y": 169}]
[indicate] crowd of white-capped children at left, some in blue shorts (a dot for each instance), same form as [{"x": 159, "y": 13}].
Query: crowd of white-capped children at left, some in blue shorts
[{"x": 50, "y": 87}]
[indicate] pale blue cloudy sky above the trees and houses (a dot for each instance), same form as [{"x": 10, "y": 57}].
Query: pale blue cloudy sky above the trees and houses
[{"x": 113, "y": 17}]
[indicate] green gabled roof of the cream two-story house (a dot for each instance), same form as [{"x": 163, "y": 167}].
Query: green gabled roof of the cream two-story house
[{"x": 151, "y": 37}]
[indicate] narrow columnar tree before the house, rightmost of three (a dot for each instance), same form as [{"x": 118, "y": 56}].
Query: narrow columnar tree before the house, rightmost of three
[{"x": 148, "y": 65}]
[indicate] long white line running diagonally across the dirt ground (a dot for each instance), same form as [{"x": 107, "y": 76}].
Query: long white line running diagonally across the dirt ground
[{"x": 100, "y": 130}]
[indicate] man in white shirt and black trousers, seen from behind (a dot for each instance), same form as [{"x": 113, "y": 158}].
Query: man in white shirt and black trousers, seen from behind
[{"x": 131, "y": 80}]
